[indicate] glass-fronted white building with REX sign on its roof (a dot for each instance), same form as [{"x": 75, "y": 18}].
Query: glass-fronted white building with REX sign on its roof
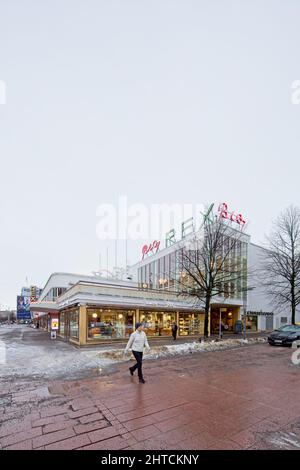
[{"x": 89, "y": 310}]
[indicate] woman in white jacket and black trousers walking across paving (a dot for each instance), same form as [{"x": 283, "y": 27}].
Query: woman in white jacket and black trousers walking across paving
[{"x": 137, "y": 342}]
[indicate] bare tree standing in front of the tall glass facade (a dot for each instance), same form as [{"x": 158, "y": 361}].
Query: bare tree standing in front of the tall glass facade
[{"x": 212, "y": 264}]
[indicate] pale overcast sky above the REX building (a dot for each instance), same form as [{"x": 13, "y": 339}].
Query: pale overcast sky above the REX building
[{"x": 164, "y": 101}]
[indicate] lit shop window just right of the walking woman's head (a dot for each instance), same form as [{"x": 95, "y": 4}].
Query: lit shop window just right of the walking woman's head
[{"x": 158, "y": 323}]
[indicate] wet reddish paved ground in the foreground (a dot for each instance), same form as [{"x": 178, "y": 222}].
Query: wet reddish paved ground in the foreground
[{"x": 245, "y": 398}]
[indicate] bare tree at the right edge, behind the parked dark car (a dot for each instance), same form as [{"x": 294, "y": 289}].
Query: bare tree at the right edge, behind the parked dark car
[{"x": 281, "y": 271}]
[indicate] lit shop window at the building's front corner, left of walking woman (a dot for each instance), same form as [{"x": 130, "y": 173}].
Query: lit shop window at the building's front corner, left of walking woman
[{"x": 109, "y": 323}]
